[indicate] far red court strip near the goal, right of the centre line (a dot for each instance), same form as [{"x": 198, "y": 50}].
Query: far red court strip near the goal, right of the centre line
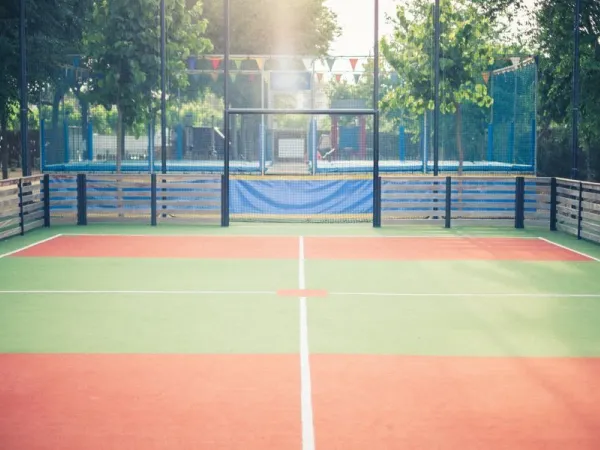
[{"x": 435, "y": 249}]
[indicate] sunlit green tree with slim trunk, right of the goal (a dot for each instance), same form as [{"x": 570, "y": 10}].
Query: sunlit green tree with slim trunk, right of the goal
[{"x": 466, "y": 52}]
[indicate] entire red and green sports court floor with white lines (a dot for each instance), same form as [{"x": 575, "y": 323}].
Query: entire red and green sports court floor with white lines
[{"x": 298, "y": 336}]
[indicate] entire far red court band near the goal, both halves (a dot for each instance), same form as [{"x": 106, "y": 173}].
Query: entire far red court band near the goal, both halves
[{"x": 331, "y": 248}]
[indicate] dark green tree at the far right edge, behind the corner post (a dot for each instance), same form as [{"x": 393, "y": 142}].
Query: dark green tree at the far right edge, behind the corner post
[{"x": 556, "y": 46}]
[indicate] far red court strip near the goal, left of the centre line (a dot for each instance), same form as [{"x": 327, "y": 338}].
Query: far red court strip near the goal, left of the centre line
[{"x": 214, "y": 247}]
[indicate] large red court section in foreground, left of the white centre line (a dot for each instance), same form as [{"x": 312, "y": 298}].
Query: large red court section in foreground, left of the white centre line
[{"x": 93, "y": 402}]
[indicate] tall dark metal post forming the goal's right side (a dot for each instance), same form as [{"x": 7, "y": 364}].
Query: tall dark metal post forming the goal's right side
[{"x": 376, "y": 179}]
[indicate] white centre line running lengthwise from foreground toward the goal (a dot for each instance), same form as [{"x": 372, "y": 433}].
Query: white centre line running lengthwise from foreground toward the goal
[{"x": 308, "y": 433}]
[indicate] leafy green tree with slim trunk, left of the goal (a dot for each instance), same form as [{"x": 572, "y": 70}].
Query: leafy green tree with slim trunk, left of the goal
[{"x": 123, "y": 48}]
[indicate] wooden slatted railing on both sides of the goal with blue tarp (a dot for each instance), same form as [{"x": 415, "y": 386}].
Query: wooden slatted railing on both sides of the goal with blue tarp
[{"x": 560, "y": 204}]
